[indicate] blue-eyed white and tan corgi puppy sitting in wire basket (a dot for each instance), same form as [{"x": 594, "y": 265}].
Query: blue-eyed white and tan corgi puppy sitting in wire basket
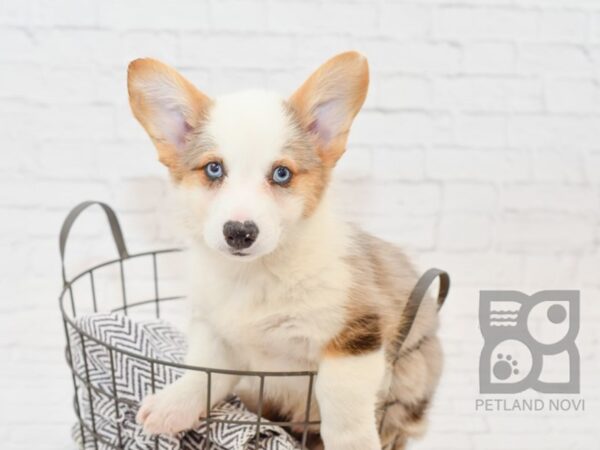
[{"x": 278, "y": 282}]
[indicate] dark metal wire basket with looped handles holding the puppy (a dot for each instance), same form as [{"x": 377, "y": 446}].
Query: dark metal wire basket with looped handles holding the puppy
[{"x": 306, "y": 430}]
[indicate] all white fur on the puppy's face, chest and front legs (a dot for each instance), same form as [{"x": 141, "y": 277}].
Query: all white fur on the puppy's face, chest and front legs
[{"x": 276, "y": 308}]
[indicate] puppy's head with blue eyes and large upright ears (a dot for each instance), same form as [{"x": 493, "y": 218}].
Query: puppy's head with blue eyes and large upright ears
[{"x": 251, "y": 165}]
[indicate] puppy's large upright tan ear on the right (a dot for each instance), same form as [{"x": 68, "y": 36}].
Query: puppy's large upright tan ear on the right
[{"x": 330, "y": 99}]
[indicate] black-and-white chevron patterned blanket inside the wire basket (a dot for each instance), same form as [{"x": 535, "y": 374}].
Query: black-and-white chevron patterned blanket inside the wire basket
[{"x": 114, "y": 421}]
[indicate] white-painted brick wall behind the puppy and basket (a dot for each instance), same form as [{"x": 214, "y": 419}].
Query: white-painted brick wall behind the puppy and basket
[{"x": 478, "y": 150}]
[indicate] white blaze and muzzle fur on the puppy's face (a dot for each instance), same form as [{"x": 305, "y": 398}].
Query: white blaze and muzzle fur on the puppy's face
[{"x": 249, "y": 130}]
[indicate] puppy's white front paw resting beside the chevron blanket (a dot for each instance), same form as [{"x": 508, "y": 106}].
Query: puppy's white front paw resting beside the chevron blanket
[{"x": 176, "y": 408}]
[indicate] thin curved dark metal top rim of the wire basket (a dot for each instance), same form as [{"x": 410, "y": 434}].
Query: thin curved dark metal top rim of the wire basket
[{"x": 67, "y": 287}]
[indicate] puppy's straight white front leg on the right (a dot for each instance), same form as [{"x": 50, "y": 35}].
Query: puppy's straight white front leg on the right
[{"x": 347, "y": 388}]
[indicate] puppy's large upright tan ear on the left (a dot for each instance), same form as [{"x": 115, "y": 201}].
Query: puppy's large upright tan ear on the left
[{"x": 167, "y": 105}]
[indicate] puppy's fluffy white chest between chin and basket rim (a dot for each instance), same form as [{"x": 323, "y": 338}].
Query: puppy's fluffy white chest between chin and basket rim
[{"x": 282, "y": 317}]
